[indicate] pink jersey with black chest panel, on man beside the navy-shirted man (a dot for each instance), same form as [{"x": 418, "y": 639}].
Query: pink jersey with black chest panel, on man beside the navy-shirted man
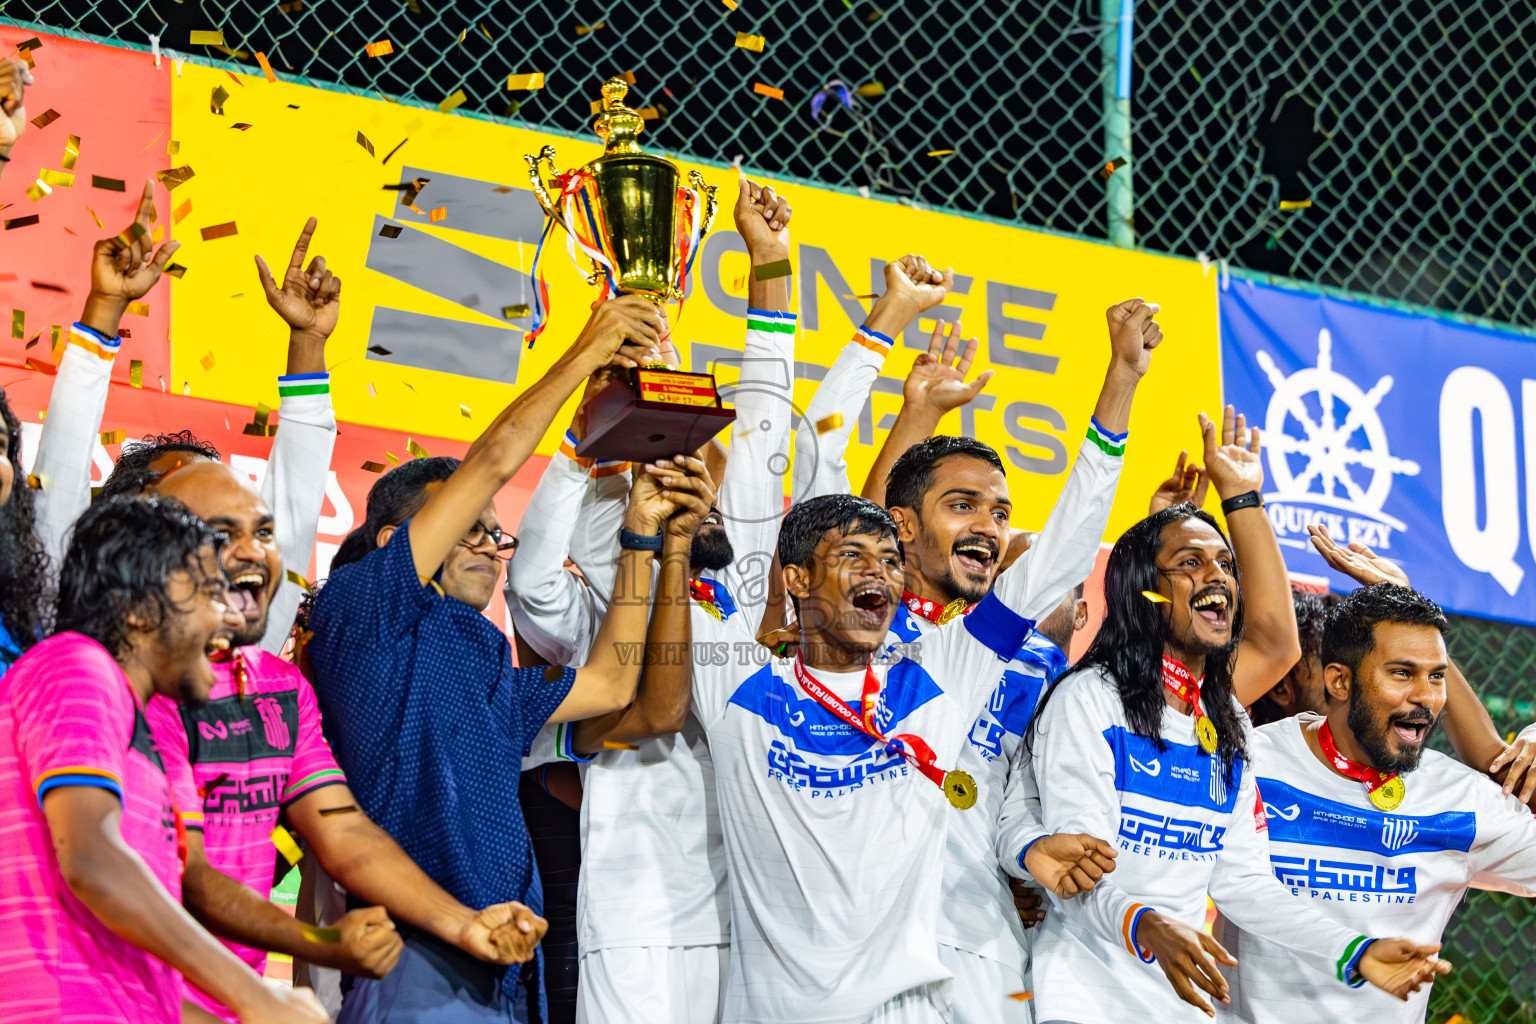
[{"x": 237, "y": 762}]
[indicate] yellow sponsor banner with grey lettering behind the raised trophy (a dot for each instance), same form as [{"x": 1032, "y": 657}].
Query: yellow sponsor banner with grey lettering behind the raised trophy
[{"x": 426, "y": 345}]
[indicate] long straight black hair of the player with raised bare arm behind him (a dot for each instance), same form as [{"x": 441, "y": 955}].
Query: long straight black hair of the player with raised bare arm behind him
[{"x": 1130, "y": 644}]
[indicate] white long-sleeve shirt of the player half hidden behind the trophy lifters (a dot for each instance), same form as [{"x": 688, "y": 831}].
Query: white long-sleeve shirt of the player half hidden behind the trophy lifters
[{"x": 654, "y": 864}]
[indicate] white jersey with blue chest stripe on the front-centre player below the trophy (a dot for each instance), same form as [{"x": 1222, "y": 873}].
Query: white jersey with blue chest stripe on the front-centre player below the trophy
[{"x": 835, "y": 844}]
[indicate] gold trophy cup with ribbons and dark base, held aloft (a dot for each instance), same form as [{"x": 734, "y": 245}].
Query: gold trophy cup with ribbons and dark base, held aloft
[{"x": 638, "y": 228}]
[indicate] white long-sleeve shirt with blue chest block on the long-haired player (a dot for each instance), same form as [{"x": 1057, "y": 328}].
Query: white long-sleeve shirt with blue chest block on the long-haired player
[{"x": 1182, "y": 831}]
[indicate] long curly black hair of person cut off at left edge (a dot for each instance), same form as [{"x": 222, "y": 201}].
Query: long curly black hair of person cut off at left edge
[{"x": 24, "y": 561}]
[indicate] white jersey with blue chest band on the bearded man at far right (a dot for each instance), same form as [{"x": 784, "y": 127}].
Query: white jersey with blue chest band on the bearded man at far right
[{"x": 1379, "y": 873}]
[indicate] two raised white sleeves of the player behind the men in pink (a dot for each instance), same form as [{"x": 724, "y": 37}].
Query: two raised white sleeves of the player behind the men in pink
[{"x": 294, "y": 487}]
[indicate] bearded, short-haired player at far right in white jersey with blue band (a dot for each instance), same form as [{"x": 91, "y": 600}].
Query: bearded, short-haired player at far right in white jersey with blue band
[{"x": 1366, "y": 824}]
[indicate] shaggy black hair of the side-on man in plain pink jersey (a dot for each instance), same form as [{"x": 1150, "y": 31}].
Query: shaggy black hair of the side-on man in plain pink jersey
[{"x": 121, "y": 555}]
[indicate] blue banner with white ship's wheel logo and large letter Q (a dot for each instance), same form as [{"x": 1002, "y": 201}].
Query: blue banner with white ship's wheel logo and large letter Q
[{"x": 1409, "y": 434}]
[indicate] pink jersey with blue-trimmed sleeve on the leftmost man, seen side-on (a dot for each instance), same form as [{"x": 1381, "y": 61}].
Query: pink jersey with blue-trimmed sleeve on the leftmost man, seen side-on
[{"x": 70, "y": 718}]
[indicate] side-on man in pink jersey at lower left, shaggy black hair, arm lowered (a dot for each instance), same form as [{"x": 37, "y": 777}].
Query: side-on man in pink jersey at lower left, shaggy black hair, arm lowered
[{"x": 91, "y": 923}]
